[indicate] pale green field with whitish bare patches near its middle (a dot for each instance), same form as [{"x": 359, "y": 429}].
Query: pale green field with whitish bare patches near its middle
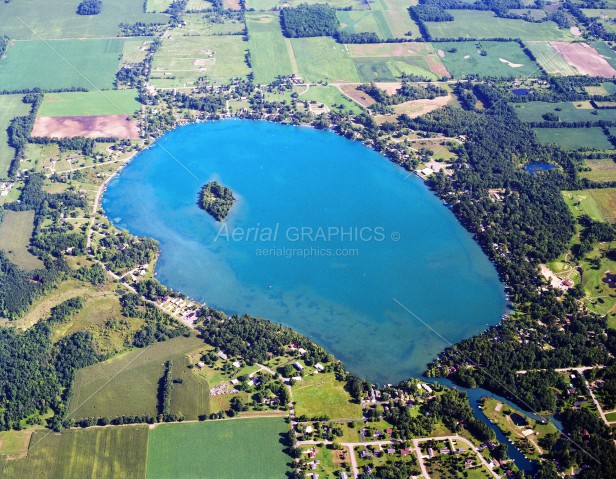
[{"x": 182, "y": 60}]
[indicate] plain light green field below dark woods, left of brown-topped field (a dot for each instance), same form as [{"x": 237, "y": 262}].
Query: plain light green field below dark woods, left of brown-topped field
[{"x": 321, "y": 58}]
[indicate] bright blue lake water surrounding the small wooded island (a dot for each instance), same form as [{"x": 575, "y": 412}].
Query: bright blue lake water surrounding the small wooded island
[{"x": 369, "y": 235}]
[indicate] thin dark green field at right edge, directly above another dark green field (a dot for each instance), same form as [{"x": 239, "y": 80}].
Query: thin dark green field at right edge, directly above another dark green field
[{"x": 566, "y": 111}]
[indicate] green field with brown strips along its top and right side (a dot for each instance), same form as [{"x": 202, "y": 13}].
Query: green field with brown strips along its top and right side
[{"x": 388, "y": 61}]
